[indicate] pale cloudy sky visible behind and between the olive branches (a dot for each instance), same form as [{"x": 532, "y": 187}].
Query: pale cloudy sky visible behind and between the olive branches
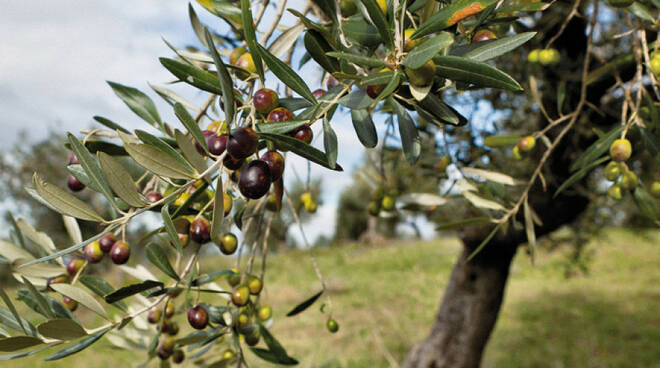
[{"x": 55, "y": 57}]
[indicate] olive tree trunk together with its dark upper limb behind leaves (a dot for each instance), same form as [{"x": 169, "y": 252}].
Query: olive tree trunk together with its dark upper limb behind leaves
[{"x": 473, "y": 298}]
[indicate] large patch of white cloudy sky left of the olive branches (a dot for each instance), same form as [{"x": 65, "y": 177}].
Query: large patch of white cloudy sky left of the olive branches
[{"x": 57, "y": 56}]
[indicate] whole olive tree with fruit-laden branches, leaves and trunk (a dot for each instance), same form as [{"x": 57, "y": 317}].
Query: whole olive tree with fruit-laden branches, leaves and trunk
[{"x": 412, "y": 62}]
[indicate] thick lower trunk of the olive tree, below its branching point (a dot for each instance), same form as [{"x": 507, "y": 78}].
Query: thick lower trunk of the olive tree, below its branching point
[{"x": 468, "y": 311}]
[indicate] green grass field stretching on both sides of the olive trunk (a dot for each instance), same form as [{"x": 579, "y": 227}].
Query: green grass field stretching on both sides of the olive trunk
[{"x": 385, "y": 299}]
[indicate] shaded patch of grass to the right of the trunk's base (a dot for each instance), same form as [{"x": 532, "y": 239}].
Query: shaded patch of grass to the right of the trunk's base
[{"x": 574, "y": 330}]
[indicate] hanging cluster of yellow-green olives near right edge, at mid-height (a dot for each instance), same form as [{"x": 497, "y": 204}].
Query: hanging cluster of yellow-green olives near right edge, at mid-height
[{"x": 618, "y": 172}]
